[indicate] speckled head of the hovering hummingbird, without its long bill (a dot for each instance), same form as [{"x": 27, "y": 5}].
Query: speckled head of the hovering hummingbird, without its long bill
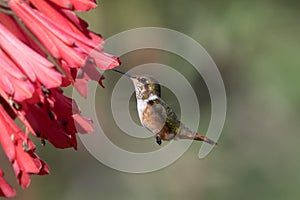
[{"x": 145, "y": 87}]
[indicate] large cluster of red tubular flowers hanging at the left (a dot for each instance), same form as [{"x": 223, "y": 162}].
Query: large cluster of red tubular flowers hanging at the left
[{"x": 44, "y": 46}]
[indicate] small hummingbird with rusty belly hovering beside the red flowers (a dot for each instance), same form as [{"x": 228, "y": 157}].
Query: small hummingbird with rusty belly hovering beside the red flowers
[{"x": 156, "y": 115}]
